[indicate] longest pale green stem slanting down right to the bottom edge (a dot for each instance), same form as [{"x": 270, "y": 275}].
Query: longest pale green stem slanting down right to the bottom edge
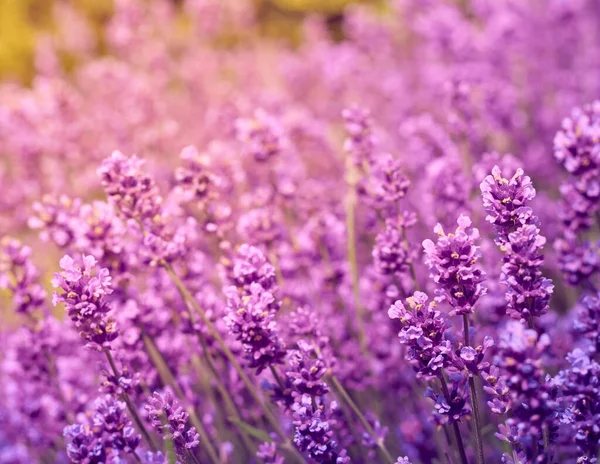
[{"x": 232, "y": 359}]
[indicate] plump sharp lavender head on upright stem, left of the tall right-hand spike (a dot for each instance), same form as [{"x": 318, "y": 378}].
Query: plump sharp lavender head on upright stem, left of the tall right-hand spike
[{"x": 452, "y": 262}]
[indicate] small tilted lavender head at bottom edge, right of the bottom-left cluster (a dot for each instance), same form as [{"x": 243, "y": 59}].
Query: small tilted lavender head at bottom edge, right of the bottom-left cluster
[{"x": 170, "y": 420}]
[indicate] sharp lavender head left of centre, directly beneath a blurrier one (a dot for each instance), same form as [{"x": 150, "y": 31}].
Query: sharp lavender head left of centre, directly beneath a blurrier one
[{"x": 251, "y": 320}]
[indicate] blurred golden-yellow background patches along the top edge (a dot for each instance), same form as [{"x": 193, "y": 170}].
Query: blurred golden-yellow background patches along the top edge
[{"x": 22, "y": 22}]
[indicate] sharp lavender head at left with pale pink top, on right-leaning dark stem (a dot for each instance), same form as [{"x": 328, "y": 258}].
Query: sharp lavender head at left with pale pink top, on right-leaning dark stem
[{"x": 85, "y": 302}]
